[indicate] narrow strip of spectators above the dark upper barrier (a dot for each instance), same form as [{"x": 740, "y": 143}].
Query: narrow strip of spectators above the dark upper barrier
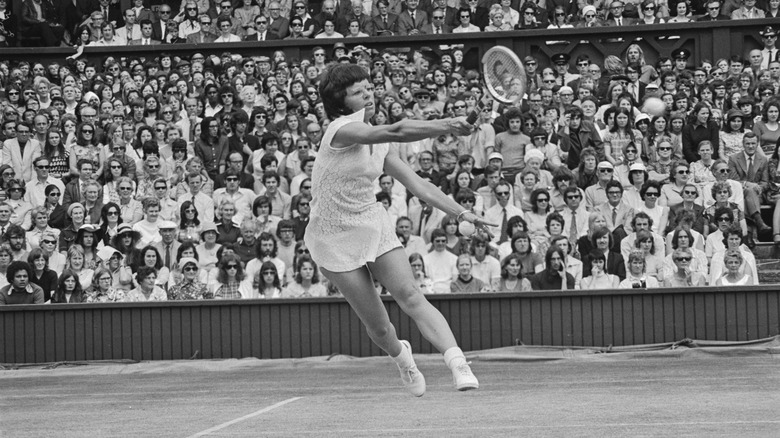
[{"x": 132, "y": 22}]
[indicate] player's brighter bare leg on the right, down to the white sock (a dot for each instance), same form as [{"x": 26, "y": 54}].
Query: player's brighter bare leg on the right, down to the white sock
[{"x": 392, "y": 269}]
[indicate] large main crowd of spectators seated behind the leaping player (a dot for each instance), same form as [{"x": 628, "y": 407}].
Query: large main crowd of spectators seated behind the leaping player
[{"x": 190, "y": 178}]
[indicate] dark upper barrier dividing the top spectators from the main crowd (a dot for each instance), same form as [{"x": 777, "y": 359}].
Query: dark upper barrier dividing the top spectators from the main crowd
[{"x": 706, "y": 40}]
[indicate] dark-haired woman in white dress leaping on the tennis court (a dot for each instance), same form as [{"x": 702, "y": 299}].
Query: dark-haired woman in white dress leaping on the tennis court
[{"x": 349, "y": 232}]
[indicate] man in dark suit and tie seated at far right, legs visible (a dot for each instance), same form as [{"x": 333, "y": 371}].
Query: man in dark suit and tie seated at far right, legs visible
[{"x": 752, "y": 170}]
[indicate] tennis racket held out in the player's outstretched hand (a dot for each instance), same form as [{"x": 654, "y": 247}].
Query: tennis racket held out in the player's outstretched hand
[{"x": 504, "y": 75}]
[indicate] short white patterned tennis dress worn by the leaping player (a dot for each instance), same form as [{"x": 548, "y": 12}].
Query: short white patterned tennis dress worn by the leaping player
[{"x": 348, "y": 227}]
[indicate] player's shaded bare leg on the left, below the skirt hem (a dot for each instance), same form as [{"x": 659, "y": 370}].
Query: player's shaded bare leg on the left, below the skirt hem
[{"x": 358, "y": 289}]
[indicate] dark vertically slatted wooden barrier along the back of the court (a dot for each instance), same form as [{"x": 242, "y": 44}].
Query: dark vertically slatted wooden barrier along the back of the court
[{"x": 313, "y": 327}]
